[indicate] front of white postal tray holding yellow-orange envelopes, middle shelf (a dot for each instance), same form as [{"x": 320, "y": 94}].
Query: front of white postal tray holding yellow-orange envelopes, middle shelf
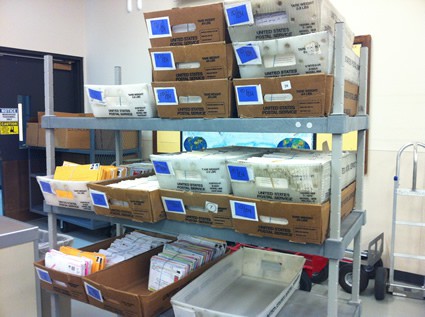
[{"x": 68, "y": 194}]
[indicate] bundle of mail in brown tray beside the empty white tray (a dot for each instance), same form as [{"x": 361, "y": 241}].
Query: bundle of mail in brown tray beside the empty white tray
[{"x": 181, "y": 257}]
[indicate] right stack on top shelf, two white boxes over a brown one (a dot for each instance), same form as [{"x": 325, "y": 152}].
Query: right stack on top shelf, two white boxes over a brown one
[{"x": 285, "y": 52}]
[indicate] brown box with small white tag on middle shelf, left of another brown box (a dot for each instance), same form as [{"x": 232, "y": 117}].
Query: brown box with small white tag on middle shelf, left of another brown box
[{"x": 200, "y": 208}]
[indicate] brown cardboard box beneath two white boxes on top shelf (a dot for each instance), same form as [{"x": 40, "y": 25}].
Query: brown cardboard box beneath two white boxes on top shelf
[{"x": 291, "y": 96}]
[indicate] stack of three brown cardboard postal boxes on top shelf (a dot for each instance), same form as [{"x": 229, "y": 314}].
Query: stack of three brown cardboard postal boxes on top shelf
[{"x": 192, "y": 64}]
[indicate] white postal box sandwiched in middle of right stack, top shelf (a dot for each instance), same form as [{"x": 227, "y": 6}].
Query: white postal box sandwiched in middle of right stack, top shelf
[{"x": 297, "y": 55}]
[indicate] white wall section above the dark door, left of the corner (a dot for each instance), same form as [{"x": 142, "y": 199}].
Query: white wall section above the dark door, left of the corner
[{"x": 43, "y": 25}]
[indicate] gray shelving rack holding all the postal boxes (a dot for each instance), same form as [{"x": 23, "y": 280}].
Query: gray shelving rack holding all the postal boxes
[{"x": 341, "y": 232}]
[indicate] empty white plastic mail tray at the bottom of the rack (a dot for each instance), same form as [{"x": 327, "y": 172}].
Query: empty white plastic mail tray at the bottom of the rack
[{"x": 249, "y": 282}]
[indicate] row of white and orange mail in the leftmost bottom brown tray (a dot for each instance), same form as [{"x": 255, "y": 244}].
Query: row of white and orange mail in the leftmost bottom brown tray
[{"x": 82, "y": 263}]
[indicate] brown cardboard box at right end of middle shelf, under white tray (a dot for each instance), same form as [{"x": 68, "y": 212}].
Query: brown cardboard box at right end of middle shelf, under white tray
[{"x": 304, "y": 223}]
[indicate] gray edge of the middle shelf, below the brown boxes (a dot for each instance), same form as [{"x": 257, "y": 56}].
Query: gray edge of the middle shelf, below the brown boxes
[{"x": 329, "y": 249}]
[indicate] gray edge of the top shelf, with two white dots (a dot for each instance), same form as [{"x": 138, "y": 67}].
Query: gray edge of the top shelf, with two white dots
[{"x": 333, "y": 124}]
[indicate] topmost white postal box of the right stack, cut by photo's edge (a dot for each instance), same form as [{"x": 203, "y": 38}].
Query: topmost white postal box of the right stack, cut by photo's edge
[{"x": 256, "y": 20}]
